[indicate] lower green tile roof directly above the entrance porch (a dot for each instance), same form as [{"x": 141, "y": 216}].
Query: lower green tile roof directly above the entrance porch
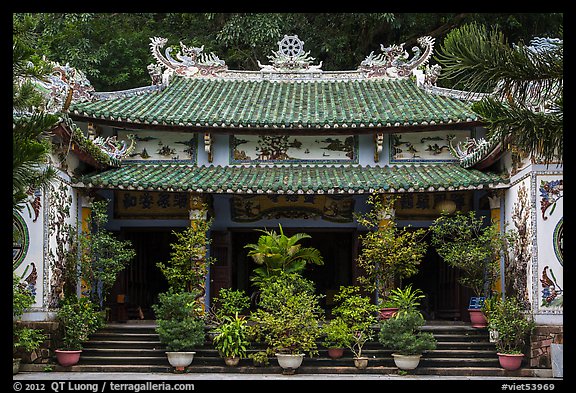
[{"x": 292, "y": 178}]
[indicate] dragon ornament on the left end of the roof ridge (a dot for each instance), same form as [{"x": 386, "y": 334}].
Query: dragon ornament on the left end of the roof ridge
[{"x": 190, "y": 61}]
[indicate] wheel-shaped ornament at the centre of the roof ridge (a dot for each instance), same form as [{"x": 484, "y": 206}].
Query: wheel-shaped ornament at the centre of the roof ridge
[{"x": 290, "y": 57}]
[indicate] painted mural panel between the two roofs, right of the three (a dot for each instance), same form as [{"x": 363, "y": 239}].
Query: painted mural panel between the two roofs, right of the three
[{"x": 432, "y": 146}]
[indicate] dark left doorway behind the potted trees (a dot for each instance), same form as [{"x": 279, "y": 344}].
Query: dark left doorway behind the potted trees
[{"x": 141, "y": 281}]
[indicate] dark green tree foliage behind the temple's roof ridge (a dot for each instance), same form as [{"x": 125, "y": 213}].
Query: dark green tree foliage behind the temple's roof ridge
[{"x": 113, "y": 48}]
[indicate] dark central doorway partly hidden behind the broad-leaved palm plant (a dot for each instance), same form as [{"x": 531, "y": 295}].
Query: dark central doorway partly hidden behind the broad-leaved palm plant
[{"x": 336, "y": 248}]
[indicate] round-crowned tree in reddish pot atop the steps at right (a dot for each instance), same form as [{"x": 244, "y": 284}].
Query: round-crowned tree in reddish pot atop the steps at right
[{"x": 466, "y": 243}]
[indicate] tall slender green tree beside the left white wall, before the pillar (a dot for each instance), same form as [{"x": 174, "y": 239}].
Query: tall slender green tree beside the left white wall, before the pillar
[{"x": 102, "y": 255}]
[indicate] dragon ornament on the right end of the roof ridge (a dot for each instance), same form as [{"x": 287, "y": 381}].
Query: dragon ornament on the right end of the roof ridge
[{"x": 394, "y": 63}]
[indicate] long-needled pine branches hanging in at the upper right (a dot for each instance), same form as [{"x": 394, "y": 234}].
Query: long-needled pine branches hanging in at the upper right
[{"x": 525, "y": 107}]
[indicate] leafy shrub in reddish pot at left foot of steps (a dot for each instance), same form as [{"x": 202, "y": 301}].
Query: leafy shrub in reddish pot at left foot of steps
[{"x": 78, "y": 318}]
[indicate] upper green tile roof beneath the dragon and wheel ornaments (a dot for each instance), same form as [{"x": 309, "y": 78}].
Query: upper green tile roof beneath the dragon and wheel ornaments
[{"x": 260, "y": 103}]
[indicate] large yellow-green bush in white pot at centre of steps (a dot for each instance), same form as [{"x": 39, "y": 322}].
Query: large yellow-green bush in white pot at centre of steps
[{"x": 287, "y": 319}]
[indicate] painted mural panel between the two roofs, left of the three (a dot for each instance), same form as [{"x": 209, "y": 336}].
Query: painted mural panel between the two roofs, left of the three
[{"x": 151, "y": 146}]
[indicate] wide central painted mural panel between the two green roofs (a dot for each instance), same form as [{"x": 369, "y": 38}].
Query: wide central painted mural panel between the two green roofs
[{"x": 293, "y": 149}]
